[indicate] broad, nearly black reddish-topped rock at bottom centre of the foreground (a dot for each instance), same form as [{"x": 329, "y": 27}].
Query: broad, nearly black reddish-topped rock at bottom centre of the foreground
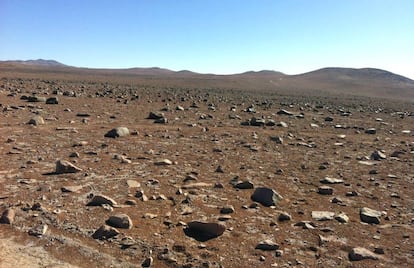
[{"x": 203, "y": 231}]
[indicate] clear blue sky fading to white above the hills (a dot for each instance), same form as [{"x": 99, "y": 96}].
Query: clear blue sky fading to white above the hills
[{"x": 212, "y": 36}]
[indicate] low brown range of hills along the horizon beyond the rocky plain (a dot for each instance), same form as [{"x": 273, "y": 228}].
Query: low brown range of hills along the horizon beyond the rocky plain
[{"x": 338, "y": 81}]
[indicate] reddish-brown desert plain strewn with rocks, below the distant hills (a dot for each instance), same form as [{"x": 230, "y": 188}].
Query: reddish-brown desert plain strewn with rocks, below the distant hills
[{"x": 112, "y": 175}]
